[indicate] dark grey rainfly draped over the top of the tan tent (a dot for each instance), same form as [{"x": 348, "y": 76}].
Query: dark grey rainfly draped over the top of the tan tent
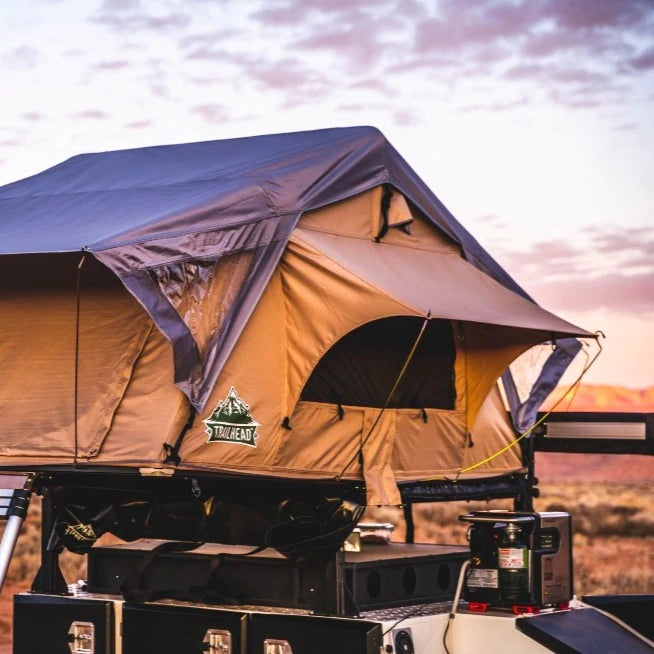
[{"x": 142, "y": 209}]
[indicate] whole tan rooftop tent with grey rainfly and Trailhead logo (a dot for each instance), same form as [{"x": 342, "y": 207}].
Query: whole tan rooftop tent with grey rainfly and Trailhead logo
[{"x": 275, "y": 284}]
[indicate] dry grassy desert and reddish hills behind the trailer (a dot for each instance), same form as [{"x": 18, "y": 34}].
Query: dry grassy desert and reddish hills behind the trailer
[{"x": 611, "y": 498}]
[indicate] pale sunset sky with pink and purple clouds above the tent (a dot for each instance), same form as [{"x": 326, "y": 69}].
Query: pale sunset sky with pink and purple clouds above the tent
[{"x": 532, "y": 120}]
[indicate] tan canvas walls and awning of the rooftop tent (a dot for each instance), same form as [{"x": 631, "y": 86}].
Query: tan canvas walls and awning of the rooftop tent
[{"x": 339, "y": 309}]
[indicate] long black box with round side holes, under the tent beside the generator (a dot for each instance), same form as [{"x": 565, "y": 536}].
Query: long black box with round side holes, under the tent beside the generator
[{"x": 380, "y": 576}]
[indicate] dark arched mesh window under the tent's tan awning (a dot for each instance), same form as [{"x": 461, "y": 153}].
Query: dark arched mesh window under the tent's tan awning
[{"x": 361, "y": 368}]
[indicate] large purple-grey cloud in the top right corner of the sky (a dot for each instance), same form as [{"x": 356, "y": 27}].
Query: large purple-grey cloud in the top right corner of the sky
[{"x": 575, "y": 50}]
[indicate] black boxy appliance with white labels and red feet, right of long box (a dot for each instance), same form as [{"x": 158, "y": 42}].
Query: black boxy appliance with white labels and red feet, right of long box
[{"x": 519, "y": 560}]
